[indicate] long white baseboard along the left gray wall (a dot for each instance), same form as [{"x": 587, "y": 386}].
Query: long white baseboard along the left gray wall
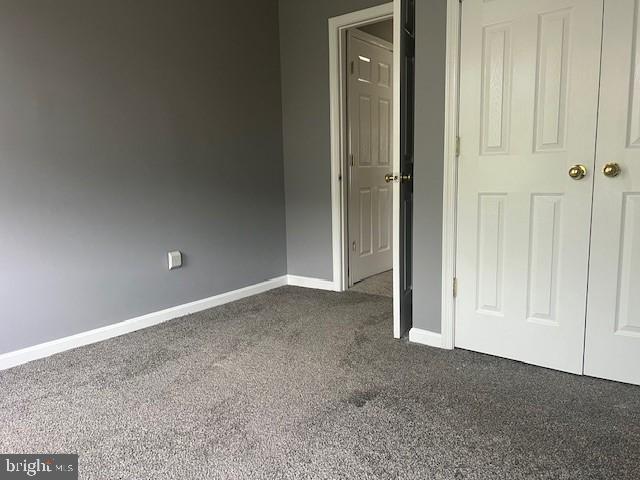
[{"x": 18, "y": 357}]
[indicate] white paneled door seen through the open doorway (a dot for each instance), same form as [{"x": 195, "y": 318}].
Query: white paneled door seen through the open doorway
[{"x": 370, "y": 93}]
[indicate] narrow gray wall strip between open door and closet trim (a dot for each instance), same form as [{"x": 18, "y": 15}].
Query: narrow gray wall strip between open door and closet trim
[{"x": 431, "y": 28}]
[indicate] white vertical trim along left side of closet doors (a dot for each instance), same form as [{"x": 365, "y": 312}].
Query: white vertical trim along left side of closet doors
[{"x": 450, "y": 181}]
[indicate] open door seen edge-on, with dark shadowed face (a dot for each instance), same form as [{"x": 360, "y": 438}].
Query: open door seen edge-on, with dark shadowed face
[{"x": 403, "y": 166}]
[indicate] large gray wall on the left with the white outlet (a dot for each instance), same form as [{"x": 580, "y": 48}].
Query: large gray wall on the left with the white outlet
[{"x": 129, "y": 128}]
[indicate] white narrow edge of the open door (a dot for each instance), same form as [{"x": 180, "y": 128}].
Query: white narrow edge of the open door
[{"x": 397, "y": 35}]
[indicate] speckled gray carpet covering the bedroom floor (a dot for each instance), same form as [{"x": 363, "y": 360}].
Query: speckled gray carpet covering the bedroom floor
[{"x": 298, "y": 383}]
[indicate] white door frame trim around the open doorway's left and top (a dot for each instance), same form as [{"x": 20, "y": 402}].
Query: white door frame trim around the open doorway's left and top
[{"x": 337, "y": 63}]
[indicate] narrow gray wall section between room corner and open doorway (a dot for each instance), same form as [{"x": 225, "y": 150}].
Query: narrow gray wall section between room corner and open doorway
[{"x": 304, "y": 46}]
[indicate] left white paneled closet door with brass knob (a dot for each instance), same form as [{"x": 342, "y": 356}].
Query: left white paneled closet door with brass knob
[{"x": 529, "y": 92}]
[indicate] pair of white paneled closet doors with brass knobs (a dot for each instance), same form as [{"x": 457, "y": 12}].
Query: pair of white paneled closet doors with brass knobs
[{"x": 548, "y": 254}]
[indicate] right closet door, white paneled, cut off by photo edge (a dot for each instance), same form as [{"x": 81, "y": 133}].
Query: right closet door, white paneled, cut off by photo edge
[{"x": 613, "y": 318}]
